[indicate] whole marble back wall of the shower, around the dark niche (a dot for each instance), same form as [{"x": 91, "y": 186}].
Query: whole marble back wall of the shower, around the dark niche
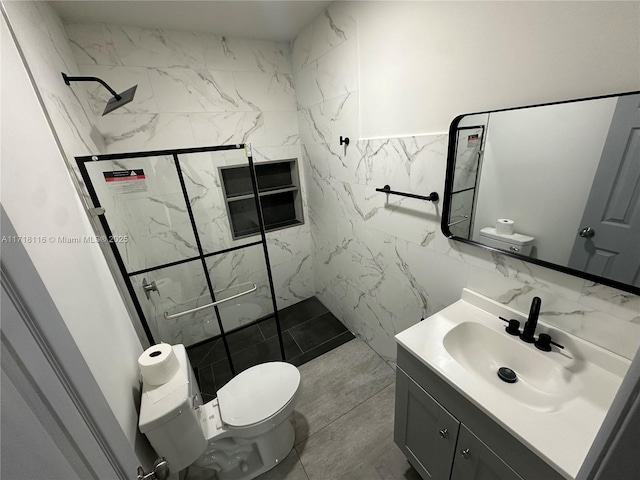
[{"x": 200, "y": 90}]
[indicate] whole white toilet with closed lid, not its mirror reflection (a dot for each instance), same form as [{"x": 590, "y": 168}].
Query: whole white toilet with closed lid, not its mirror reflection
[{"x": 239, "y": 435}]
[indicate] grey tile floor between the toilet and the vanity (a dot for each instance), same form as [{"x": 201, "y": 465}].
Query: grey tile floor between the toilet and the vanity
[{"x": 344, "y": 420}]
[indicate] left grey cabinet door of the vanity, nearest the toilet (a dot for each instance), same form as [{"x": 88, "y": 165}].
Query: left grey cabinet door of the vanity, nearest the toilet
[{"x": 425, "y": 432}]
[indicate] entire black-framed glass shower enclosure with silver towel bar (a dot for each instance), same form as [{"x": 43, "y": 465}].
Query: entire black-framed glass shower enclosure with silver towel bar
[{"x": 159, "y": 215}]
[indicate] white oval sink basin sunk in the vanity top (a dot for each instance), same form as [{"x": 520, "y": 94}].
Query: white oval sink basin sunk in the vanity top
[{"x": 541, "y": 384}]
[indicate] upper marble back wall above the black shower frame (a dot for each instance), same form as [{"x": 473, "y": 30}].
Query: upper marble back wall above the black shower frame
[{"x": 193, "y": 89}]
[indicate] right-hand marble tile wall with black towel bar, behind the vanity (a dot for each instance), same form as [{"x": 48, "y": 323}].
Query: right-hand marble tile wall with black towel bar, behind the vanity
[{"x": 381, "y": 264}]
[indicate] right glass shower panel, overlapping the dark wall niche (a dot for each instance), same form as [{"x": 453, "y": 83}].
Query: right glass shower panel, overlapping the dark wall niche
[{"x": 238, "y": 267}]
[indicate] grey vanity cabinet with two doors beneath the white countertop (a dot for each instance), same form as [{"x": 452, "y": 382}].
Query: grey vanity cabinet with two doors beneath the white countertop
[{"x": 446, "y": 437}]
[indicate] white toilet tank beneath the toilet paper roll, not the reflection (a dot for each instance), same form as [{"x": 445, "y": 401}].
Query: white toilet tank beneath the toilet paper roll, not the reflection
[{"x": 170, "y": 417}]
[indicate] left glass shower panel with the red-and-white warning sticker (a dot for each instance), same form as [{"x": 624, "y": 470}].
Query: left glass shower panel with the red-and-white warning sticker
[{"x": 145, "y": 208}]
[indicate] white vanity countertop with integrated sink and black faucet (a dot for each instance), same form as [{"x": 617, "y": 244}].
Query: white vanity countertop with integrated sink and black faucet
[{"x": 560, "y": 421}]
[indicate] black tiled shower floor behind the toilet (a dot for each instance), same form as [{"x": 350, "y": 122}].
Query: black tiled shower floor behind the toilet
[{"x": 308, "y": 331}]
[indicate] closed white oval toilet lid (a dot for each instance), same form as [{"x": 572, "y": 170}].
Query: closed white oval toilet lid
[{"x": 258, "y": 393}]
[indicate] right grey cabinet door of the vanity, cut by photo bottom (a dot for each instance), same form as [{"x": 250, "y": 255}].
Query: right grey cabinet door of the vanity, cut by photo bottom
[{"x": 475, "y": 461}]
